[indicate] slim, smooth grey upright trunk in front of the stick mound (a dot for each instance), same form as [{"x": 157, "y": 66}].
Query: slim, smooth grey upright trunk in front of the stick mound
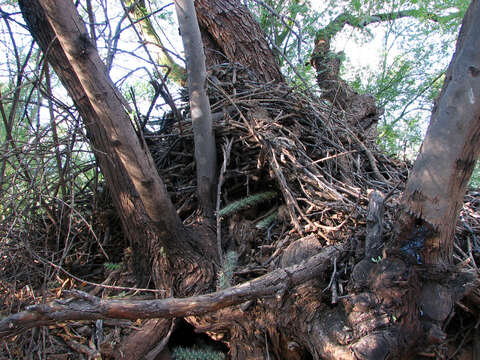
[{"x": 204, "y": 139}]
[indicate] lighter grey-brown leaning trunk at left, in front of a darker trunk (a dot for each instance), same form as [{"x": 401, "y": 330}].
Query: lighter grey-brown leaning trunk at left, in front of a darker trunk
[{"x": 109, "y": 106}]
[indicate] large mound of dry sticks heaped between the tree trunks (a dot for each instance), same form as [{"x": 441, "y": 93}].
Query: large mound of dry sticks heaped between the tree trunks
[{"x": 320, "y": 165}]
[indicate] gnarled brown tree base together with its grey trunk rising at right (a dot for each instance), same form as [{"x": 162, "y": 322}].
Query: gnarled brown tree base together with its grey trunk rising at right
[{"x": 381, "y": 316}]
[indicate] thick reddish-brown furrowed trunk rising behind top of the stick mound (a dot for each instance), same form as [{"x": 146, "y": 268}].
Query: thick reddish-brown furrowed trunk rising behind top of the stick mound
[{"x": 231, "y": 34}]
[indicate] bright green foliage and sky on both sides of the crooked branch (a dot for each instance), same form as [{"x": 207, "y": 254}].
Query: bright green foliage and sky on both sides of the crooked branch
[{"x": 405, "y": 75}]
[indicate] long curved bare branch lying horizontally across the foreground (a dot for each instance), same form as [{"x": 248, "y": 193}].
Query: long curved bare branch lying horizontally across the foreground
[{"x": 87, "y": 307}]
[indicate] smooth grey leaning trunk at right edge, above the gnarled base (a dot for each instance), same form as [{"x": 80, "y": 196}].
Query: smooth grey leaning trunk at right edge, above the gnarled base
[{"x": 439, "y": 178}]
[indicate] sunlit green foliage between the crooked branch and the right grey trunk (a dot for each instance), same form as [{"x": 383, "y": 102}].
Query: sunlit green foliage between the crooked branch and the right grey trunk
[{"x": 408, "y": 77}]
